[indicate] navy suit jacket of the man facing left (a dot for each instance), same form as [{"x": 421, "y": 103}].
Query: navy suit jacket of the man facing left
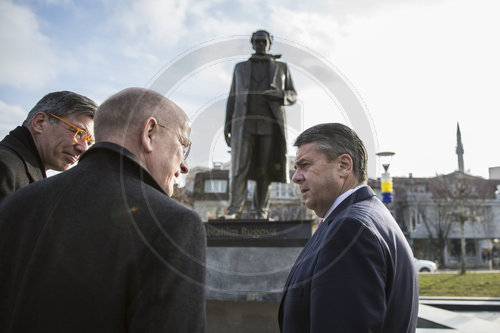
[{"x": 355, "y": 274}]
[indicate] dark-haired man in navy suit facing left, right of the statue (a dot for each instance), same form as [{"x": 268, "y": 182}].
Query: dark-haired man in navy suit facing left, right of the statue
[{"x": 356, "y": 273}]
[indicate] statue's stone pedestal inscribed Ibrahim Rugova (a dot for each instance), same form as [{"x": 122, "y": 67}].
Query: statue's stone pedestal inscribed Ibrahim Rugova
[{"x": 248, "y": 262}]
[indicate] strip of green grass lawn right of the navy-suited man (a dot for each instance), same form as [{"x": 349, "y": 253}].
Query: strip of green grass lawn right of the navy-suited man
[{"x": 452, "y": 284}]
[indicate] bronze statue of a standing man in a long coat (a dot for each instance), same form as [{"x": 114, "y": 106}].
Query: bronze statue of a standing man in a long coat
[{"x": 255, "y": 125}]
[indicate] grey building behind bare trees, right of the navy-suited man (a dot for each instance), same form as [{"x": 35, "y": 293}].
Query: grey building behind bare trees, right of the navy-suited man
[{"x": 430, "y": 212}]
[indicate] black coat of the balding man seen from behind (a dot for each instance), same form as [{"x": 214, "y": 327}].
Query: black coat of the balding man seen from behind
[{"x": 100, "y": 248}]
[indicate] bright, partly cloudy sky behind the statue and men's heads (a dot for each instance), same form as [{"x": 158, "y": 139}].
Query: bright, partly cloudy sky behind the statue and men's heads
[{"x": 415, "y": 67}]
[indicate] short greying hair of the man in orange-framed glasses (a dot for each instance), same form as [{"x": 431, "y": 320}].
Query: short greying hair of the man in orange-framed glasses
[{"x": 61, "y": 104}]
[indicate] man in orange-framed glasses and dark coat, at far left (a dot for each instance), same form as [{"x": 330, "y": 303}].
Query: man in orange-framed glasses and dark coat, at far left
[{"x": 55, "y": 133}]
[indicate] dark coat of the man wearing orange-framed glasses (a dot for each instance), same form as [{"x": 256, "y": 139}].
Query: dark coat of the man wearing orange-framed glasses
[{"x": 19, "y": 161}]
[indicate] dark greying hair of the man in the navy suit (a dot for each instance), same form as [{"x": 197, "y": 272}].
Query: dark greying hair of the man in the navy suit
[{"x": 334, "y": 139}]
